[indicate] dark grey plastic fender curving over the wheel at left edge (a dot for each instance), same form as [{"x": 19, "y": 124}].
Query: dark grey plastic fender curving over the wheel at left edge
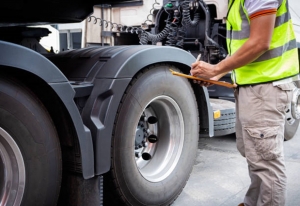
[{"x": 22, "y": 58}]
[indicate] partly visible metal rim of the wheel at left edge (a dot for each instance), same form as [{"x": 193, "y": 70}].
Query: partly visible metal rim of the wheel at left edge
[{"x": 12, "y": 171}]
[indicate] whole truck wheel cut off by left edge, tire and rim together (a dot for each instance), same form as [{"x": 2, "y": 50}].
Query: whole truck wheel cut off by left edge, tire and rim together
[{"x": 30, "y": 156}]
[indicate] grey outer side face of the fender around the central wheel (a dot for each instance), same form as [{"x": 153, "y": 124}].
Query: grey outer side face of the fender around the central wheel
[{"x": 111, "y": 82}]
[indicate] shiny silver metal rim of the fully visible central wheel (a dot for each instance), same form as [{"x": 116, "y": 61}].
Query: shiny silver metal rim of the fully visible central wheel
[{"x": 156, "y": 161}]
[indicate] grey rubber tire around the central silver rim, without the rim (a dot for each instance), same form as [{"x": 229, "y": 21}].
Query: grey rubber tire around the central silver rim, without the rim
[{"x": 132, "y": 188}]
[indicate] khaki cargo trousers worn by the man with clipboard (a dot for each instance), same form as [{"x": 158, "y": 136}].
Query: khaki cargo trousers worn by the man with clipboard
[{"x": 260, "y": 111}]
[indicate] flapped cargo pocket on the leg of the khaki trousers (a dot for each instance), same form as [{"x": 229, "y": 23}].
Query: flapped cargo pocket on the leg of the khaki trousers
[{"x": 267, "y": 141}]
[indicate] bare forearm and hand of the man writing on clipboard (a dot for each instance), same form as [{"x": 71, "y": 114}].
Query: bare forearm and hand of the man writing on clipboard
[{"x": 261, "y": 30}]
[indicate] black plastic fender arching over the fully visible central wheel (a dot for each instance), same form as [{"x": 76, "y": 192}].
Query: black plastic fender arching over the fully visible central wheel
[{"x": 110, "y": 70}]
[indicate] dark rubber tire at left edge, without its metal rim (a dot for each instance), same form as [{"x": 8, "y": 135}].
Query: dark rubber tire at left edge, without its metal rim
[{"x": 26, "y": 120}]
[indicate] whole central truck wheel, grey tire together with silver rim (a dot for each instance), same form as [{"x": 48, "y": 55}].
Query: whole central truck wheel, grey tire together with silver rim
[{"x": 158, "y": 181}]
